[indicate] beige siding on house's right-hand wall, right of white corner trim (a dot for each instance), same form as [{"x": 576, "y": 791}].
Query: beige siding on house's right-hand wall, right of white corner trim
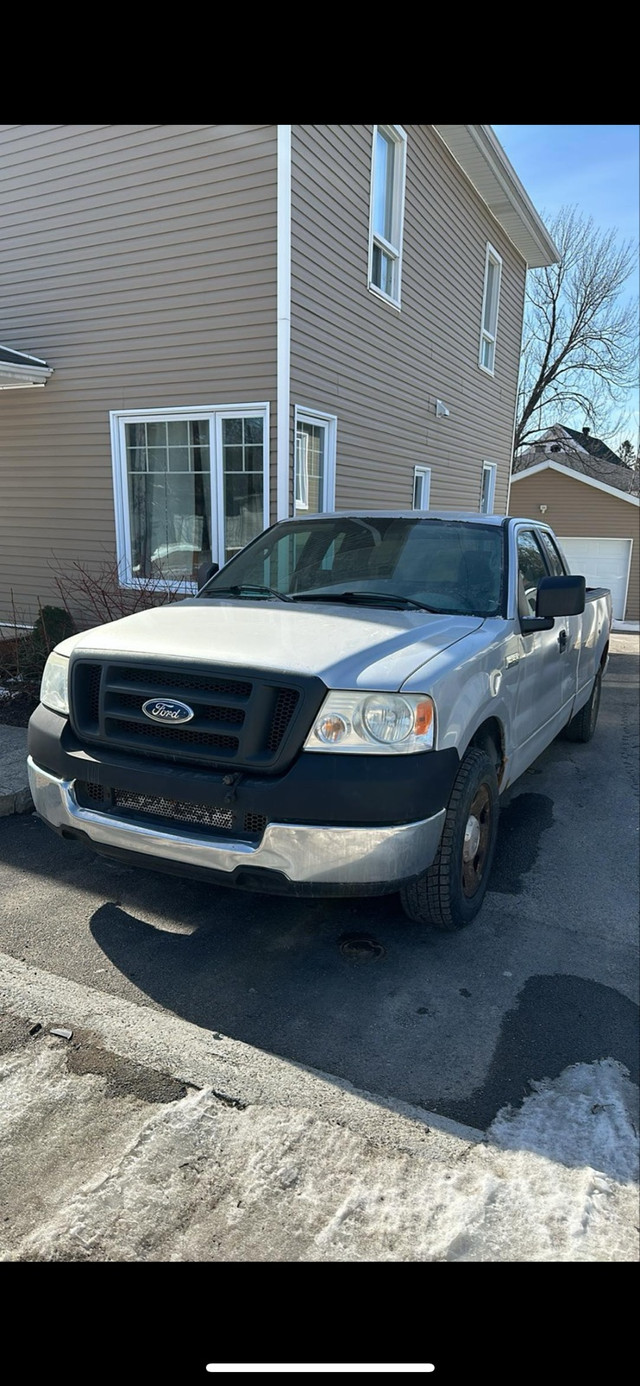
[{"x": 382, "y": 371}]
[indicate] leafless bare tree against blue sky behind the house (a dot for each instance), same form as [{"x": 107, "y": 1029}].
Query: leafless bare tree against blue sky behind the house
[{"x": 580, "y": 343}]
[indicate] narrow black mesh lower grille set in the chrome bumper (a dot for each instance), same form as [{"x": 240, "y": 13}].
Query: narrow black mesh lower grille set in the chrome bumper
[{"x": 125, "y": 805}]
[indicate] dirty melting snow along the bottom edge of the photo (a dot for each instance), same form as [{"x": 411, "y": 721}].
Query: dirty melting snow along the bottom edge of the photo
[{"x": 196, "y": 1180}]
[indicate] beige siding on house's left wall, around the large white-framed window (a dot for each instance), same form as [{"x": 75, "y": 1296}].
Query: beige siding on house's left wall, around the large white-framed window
[{"x": 141, "y": 263}]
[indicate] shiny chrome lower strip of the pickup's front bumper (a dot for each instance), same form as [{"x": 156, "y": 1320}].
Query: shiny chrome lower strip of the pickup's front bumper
[{"x": 337, "y": 856}]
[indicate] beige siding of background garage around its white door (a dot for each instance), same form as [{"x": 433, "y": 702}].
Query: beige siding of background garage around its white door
[{"x": 578, "y": 511}]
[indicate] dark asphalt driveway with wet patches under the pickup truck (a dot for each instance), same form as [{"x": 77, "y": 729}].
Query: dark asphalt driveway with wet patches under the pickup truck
[{"x": 456, "y": 1025}]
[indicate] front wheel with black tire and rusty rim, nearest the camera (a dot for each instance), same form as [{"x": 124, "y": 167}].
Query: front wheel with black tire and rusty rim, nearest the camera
[{"x": 451, "y": 893}]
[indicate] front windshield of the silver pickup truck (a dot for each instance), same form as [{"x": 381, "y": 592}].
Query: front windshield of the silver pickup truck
[{"x": 441, "y": 565}]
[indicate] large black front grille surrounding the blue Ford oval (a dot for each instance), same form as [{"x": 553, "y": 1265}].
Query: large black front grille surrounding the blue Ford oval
[{"x": 246, "y": 723}]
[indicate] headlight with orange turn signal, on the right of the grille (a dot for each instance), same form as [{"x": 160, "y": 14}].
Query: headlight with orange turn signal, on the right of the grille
[{"x": 389, "y": 723}]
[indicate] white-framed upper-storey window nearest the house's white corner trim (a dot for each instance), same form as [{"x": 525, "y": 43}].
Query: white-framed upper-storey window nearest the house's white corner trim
[{"x": 387, "y": 214}]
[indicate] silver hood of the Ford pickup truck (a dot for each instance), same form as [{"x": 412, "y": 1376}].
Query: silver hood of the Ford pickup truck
[{"x": 348, "y": 648}]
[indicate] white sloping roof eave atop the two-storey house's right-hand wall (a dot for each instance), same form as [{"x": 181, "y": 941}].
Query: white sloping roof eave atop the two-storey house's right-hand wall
[{"x": 483, "y": 159}]
